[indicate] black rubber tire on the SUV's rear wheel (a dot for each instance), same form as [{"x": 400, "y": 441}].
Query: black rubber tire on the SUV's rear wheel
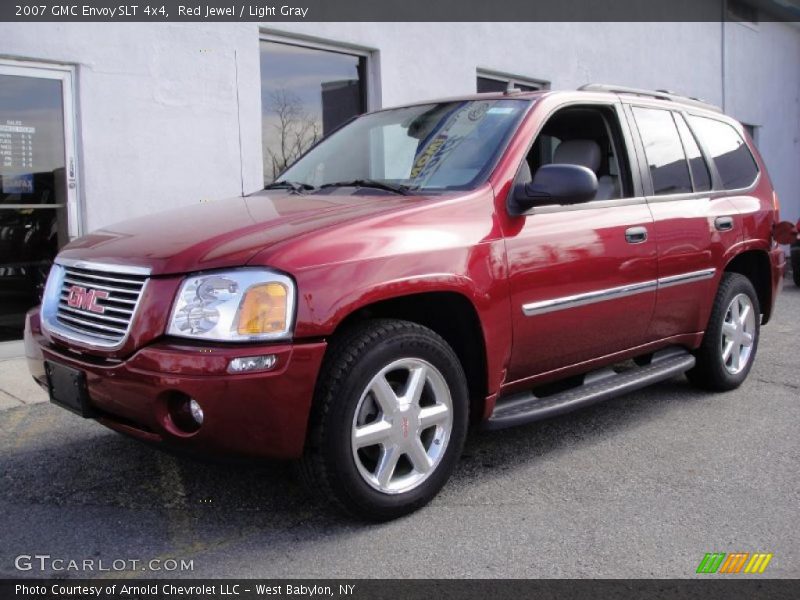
[{"x": 710, "y": 371}]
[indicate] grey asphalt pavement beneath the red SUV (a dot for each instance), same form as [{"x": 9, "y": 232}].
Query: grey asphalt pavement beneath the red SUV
[{"x": 641, "y": 486}]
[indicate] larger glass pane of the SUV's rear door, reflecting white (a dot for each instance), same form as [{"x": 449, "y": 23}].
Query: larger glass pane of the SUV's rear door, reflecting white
[{"x": 662, "y": 146}]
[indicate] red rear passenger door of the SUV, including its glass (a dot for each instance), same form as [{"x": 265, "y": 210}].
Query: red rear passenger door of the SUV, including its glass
[{"x": 694, "y": 226}]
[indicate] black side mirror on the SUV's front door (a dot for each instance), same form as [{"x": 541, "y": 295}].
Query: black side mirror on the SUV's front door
[{"x": 554, "y": 184}]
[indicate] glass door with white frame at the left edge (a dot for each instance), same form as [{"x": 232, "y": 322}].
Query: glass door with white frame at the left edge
[{"x": 38, "y": 208}]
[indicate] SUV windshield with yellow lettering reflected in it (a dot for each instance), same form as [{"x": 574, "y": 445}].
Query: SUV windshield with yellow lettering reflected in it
[{"x": 450, "y": 145}]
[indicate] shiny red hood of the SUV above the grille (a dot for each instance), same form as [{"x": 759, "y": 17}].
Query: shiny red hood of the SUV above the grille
[{"x": 224, "y": 233}]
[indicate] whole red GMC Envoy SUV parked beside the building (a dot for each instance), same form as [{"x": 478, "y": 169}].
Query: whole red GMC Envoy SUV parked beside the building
[{"x": 498, "y": 258}]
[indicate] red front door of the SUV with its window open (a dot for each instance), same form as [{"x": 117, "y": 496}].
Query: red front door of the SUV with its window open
[{"x": 582, "y": 277}]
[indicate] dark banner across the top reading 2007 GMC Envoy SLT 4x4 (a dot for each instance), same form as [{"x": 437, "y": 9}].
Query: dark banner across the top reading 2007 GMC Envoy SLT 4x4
[{"x": 268, "y": 11}]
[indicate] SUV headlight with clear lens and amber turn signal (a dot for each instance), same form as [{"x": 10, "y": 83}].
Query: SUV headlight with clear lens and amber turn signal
[{"x": 232, "y": 306}]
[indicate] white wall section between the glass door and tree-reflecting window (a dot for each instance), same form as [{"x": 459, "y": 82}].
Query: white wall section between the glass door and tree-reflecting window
[{"x": 157, "y": 108}]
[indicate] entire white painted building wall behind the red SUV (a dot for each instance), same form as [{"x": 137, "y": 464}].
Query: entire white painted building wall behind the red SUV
[{"x": 159, "y": 123}]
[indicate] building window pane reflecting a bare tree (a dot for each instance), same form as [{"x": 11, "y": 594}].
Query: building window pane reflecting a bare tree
[{"x": 305, "y": 94}]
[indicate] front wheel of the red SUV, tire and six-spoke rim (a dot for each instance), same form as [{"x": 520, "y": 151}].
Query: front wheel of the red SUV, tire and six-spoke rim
[{"x": 389, "y": 419}]
